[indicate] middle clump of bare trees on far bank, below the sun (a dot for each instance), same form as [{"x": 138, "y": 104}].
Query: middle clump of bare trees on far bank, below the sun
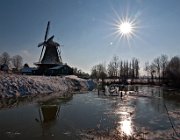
[{"x": 117, "y": 69}]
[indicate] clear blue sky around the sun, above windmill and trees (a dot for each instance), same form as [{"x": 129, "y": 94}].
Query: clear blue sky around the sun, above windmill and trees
[{"x": 85, "y": 29}]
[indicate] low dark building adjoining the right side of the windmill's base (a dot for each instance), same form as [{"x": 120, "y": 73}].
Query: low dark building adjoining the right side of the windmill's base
[{"x": 62, "y": 69}]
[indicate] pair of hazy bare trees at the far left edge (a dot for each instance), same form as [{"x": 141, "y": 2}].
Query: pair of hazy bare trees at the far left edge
[{"x": 15, "y": 61}]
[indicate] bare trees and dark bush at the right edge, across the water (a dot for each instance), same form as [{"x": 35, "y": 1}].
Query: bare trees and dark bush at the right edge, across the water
[{"x": 165, "y": 70}]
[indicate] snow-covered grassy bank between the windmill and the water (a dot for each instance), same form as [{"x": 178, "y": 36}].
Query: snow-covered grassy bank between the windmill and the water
[{"x": 12, "y": 85}]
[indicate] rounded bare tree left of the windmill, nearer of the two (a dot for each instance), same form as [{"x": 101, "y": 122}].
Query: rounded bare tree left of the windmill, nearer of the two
[{"x": 17, "y": 61}]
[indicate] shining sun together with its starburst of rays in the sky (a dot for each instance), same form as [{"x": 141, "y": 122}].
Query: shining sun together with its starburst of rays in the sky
[{"x": 125, "y": 28}]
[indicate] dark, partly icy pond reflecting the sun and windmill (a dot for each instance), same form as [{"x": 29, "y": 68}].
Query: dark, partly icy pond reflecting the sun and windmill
[{"x": 150, "y": 113}]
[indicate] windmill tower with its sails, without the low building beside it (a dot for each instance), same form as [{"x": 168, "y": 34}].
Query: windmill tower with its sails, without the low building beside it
[{"x": 50, "y": 54}]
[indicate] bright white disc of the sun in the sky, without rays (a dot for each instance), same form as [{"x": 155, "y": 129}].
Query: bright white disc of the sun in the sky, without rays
[{"x": 125, "y": 28}]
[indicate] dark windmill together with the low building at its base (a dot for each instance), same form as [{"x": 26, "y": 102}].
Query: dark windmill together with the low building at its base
[{"x": 50, "y": 62}]
